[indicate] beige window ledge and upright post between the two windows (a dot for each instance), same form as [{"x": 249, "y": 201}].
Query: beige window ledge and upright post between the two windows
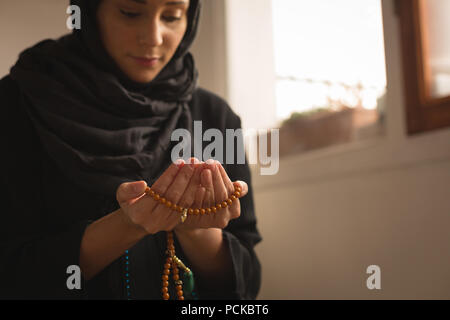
[{"x": 392, "y": 152}]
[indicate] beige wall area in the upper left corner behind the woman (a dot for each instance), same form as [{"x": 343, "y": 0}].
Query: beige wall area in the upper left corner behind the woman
[{"x": 26, "y": 22}]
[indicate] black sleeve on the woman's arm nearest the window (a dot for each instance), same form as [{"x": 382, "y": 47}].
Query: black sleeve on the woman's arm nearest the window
[{"x": 241, "y": 235}]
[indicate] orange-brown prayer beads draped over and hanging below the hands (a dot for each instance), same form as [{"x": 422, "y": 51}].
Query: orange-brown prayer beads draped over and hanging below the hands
[{"x": 172, "y": 261}]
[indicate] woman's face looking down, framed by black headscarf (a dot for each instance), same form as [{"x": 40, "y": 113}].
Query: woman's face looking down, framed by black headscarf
[{"x": 142, "y": 35}]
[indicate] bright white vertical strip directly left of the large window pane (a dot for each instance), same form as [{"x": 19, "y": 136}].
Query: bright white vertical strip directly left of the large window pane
[{"x": 250, "y": 59}]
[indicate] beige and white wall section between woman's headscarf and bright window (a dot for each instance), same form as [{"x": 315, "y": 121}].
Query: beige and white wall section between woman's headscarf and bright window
[{"x": 233, "y": 60}]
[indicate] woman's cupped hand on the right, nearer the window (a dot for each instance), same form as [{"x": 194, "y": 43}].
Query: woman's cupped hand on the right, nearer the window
[{"x": 215, "y": 187}]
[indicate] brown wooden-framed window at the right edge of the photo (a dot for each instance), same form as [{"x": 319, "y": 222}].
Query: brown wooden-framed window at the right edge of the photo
[{"x": 425, "y": 28}]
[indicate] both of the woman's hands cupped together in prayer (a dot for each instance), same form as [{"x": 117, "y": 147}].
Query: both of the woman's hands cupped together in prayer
[{"x": 189, "y": 185}]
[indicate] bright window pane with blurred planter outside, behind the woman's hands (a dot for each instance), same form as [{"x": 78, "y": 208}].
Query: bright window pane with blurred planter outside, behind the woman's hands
[{"x": 330, "y": 72}]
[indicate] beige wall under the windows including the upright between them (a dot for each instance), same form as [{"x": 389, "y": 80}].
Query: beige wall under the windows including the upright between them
[{"x": 330, "y": 214}]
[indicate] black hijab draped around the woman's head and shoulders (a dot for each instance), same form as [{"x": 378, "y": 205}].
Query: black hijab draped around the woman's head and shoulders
[{"x": 99, "y": 127}]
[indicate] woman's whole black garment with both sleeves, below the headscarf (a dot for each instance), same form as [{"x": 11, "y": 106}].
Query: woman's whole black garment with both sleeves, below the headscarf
[{"x": 42, "y": 222}]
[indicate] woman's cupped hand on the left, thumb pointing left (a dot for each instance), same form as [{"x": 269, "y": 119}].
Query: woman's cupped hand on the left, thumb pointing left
[{"x": 148, "y": 214}]
